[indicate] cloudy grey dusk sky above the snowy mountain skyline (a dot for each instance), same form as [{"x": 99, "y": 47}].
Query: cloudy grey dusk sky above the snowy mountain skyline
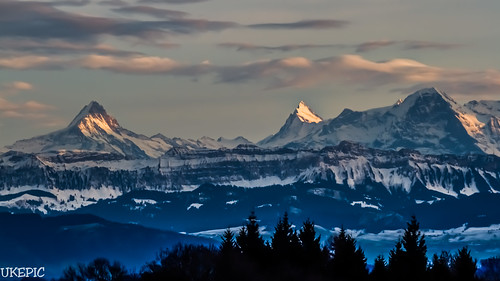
[{"x": 193, "y": 68}]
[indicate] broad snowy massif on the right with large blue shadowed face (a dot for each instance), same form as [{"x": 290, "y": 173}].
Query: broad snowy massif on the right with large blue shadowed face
[{"x": 428, "y": 120}]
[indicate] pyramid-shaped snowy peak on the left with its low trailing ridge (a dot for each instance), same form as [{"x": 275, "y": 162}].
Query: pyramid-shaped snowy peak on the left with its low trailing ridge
[{"x": 95, "y": 133}]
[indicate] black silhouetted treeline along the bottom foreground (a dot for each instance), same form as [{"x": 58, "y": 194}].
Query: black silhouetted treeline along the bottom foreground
[{"x": 295, "y": 255}]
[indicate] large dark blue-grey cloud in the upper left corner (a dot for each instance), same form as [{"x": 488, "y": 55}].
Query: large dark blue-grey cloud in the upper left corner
[{"x": 37, "y": 20}]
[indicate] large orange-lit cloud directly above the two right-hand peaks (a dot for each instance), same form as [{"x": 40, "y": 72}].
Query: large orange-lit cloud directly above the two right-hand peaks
[{"x": 301, "y": 72}]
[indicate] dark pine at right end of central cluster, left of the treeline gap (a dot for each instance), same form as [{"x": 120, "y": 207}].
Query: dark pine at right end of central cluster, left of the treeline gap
[{"x": 348, "y": 262}]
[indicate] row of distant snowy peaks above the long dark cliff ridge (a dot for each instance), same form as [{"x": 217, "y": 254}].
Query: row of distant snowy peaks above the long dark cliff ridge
[{"x": 428, "y": 121}]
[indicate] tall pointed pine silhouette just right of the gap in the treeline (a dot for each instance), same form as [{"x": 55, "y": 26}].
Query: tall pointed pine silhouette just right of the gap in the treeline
[{"x": 408, "y": 261}]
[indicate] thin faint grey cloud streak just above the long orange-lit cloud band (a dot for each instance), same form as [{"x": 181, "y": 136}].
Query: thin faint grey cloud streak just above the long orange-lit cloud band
[{"x": 282, "y": 48}]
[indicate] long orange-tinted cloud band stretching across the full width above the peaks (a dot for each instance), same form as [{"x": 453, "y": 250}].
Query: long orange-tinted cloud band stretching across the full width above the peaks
[{"x": 296, "y": 72}]
